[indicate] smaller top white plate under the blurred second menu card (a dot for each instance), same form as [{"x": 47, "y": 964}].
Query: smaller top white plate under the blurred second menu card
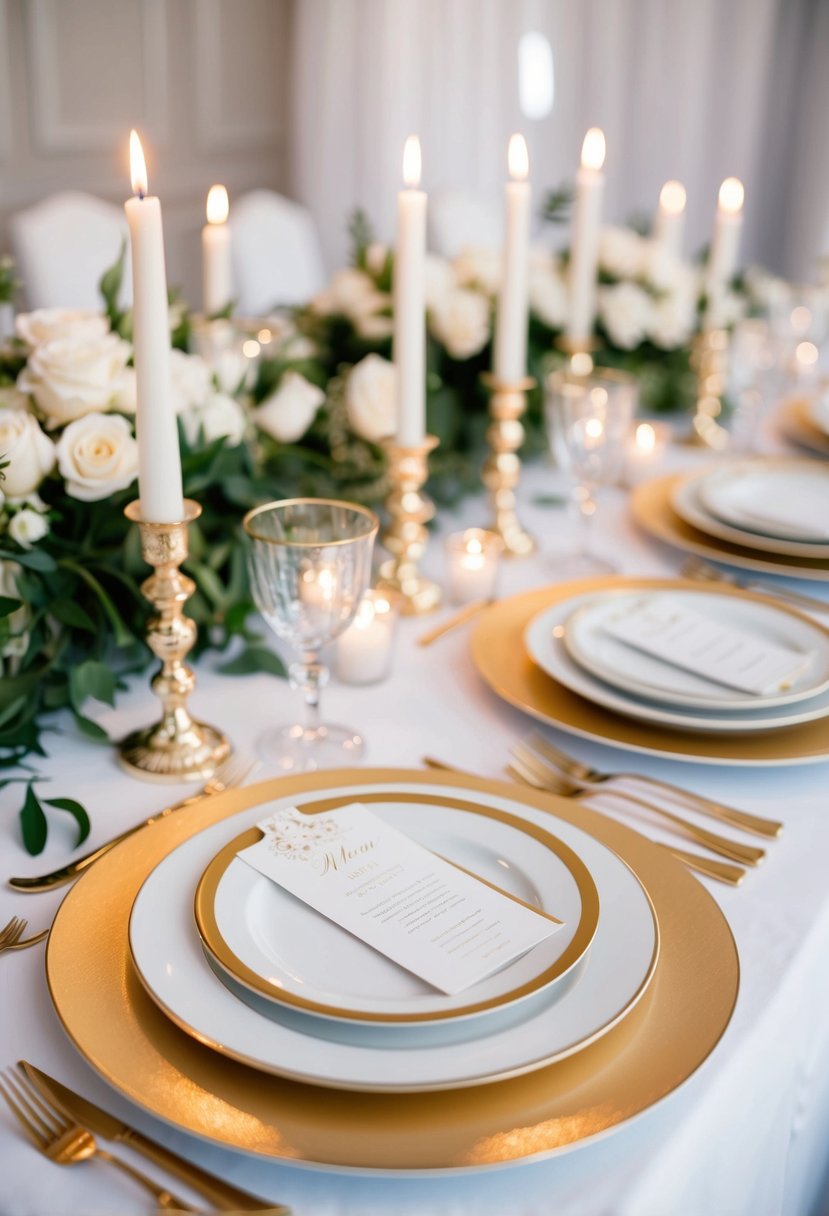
[{"x": 647, "y": 677}]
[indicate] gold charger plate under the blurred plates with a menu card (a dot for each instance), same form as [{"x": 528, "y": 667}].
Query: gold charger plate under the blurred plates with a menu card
[{"x": 499, "y": 654}]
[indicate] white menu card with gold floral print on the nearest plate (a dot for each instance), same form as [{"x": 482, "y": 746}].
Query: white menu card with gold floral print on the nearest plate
[{"x": 437, "y": 921}]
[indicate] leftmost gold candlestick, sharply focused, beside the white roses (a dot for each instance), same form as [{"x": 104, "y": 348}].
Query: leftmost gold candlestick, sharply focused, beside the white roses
[{"x": 178, "y": 748}]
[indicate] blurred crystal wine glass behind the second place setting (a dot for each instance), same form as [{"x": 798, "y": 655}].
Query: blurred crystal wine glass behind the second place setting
[{"x": 589, "y": 421}]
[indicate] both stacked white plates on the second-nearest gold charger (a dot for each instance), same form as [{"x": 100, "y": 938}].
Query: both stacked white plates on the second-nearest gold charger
[{"x": 572, "y": 644}]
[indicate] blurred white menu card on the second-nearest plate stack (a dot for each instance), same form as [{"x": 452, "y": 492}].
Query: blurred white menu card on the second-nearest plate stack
[{"x": 689, "y": 640}]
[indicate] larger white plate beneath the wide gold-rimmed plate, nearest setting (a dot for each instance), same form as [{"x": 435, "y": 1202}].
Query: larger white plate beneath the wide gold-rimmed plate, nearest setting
[{"x": 167, "y": 953}]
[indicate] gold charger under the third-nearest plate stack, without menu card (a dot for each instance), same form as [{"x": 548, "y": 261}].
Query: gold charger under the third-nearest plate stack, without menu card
[{"x": 651, "y": 504}]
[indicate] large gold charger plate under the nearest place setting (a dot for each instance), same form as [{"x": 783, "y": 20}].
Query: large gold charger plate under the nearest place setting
[{"x": 127, "y": 1039}]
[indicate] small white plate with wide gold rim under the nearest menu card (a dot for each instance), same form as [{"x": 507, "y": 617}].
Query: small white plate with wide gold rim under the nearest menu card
[{"x": 280, "y": 948}]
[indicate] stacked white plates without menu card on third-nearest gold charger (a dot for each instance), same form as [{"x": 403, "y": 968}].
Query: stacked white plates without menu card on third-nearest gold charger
[{"x": 774, "y": 505}]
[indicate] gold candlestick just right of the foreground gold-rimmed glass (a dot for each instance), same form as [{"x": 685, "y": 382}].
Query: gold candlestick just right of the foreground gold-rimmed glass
[{"x": 407, "y": 537}]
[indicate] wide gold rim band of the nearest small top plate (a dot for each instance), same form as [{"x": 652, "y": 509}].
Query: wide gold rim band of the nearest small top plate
[{"x": 216, "y": 944}]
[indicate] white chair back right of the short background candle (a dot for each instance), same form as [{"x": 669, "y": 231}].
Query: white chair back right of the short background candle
[{"x": 278, "y": 258}]
